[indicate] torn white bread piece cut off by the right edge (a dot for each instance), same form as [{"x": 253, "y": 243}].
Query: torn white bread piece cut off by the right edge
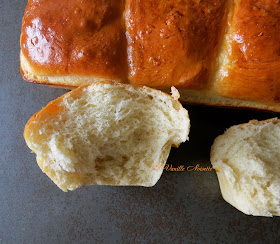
[{"x": 247, "y": 160}]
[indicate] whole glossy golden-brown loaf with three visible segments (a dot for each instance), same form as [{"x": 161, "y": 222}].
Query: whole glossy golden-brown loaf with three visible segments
[{"x": 219, "y": 52}]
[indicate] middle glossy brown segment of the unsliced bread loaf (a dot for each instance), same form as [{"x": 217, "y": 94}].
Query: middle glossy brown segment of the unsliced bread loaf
[{"x": 173, "y": 42}]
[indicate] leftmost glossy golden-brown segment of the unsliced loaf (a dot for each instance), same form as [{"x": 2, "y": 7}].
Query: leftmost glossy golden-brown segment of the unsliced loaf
[{"x": 71, "y": 37}]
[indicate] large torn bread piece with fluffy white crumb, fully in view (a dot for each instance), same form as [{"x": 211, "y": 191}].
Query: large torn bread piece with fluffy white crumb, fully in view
[{"x": 107, "y": 134}]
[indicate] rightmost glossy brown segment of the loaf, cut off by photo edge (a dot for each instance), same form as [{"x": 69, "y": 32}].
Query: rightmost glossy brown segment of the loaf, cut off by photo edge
[{"x": 250, "y": 56}]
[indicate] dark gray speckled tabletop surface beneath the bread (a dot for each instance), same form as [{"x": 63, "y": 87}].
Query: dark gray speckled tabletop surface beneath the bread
[{"x": 183, "y": 207}]
